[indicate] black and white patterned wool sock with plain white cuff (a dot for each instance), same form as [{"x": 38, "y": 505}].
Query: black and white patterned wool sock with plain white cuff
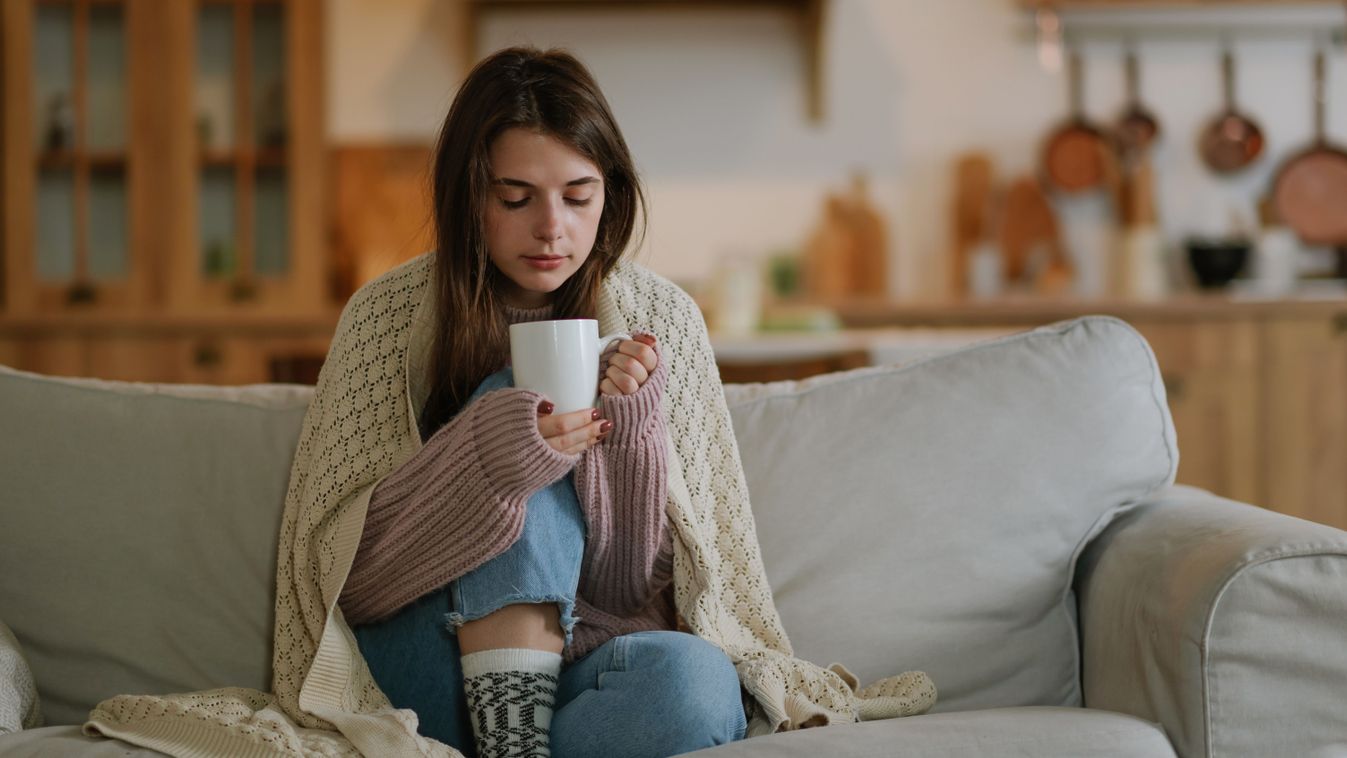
[{"x": 510, "y": 699}]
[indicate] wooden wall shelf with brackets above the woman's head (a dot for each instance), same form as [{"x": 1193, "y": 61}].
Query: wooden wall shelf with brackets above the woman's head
[{"x": 810, "y": 14}]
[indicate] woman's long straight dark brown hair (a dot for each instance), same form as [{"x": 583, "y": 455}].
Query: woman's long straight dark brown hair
[{"x": 548, "y": 92}]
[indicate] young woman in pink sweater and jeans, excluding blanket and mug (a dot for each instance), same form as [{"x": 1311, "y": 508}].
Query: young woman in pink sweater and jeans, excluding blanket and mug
[{"x": 513, "y": 580}]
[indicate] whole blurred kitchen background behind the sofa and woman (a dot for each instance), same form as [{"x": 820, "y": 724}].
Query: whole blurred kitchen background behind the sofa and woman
[{"x": 195, "y": 188}]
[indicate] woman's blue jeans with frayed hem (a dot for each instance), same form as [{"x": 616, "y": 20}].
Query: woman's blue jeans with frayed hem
[{"x": 646, "y": 694}]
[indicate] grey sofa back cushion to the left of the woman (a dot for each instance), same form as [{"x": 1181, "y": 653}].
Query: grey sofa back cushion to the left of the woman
[{"x": 141, "y": 530}]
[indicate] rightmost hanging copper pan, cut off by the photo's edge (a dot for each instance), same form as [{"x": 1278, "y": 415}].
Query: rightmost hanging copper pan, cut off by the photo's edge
[{"x": 1311, "y": 188}]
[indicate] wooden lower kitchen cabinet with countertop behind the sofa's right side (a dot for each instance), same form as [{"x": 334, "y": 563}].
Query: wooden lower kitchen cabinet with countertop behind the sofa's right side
[{"x": 1257, "y": 390}]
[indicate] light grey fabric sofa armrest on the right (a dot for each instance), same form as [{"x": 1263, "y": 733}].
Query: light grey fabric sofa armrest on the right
[{"x": 1222, "y": 621}]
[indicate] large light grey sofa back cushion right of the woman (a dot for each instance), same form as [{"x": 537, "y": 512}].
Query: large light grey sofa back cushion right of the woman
[{"x": 929, "y": 516}]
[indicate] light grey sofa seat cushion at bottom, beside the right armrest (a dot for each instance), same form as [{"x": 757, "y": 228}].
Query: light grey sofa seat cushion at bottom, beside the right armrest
[{"x": 999, "y": 733}]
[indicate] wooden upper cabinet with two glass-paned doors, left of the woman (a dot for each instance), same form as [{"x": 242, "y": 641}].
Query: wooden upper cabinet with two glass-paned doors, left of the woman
[{"x": 164, "y": 158}]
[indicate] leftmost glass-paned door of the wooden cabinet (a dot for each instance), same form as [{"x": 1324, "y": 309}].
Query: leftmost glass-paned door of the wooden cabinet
[{"x": 76, "y": 185}]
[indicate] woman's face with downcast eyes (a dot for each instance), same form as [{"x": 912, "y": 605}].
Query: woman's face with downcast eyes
[{"x": 542, "y": 215}]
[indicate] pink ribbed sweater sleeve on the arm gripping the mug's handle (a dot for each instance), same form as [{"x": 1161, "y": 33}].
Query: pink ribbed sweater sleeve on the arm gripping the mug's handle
[{"x": 623, "y": 488}]
